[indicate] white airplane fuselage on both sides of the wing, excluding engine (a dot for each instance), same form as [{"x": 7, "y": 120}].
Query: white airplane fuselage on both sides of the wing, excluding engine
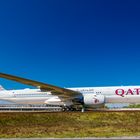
[{"x": 116, "y": 94}]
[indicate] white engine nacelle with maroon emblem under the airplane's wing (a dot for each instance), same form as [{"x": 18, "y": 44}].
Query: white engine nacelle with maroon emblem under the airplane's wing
[{"x": 93, "y": 99}]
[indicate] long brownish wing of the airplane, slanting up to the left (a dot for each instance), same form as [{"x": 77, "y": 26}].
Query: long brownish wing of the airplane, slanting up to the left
[{"x": 58, "y": 91}]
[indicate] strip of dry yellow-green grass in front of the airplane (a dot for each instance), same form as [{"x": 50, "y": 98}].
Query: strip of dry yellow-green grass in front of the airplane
[{"x": 72, "y": 124}]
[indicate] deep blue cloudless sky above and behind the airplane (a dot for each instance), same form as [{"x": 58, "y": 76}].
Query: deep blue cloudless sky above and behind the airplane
[{"x": 71, "y": 43}]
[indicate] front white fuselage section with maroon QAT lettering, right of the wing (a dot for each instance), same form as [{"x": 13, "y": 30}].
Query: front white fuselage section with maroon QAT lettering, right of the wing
[{"x": 114, "y": 94}]
